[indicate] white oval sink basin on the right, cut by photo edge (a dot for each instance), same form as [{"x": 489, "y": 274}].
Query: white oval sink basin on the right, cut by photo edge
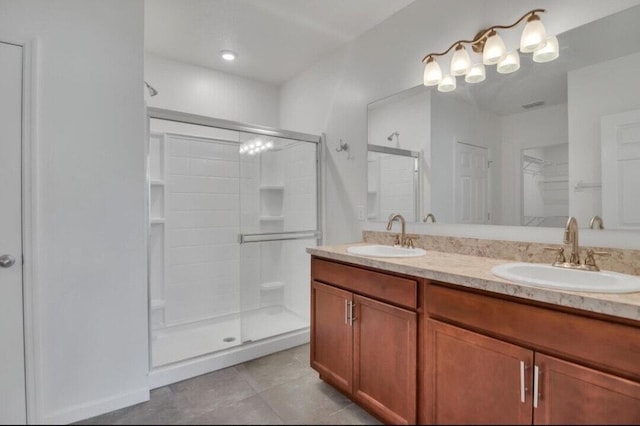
[{"x": 548, "y": 276}]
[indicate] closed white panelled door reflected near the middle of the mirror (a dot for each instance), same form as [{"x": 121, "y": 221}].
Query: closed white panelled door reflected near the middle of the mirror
[{"x": 472, "y": 184}]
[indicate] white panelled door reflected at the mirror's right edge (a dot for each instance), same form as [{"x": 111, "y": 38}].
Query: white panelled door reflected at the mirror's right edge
[{"x": 621, "y": 170}]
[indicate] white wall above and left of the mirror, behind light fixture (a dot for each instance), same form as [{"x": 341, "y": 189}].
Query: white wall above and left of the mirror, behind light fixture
[{"x": 332, "y": 96}]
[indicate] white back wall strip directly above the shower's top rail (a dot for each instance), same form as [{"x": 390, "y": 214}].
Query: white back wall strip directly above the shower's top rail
[{"x": 197, "y": 90}]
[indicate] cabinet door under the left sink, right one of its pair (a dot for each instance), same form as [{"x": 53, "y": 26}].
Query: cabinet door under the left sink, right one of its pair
[{"x": 385, "y": 360}]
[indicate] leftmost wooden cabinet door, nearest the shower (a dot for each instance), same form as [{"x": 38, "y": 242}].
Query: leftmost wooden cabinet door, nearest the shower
[{"x": 331, "y": 335}]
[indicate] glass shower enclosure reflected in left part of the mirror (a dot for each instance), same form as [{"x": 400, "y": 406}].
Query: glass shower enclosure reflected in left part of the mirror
[{"x": 393, "y": 183}]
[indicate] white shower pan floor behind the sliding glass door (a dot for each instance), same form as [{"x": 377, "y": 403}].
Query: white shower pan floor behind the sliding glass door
[{"x": 188, "y": 341}]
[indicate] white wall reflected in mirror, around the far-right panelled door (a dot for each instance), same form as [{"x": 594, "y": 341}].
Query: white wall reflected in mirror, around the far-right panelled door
[{"x": 593, "y": 82}]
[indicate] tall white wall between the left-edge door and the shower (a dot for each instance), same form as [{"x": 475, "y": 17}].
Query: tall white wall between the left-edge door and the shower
[{"x": 90, "y": 271}]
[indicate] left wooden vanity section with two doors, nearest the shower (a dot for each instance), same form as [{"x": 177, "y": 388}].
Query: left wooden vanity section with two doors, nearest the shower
[{"x": 364, "y": 337}]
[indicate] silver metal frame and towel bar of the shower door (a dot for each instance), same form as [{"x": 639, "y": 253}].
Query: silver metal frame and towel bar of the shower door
[{"x": 187, "y": 118}]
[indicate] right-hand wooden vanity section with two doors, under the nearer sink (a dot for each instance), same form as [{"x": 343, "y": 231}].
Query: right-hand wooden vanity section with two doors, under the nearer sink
[{"x": 486, "y": 359}]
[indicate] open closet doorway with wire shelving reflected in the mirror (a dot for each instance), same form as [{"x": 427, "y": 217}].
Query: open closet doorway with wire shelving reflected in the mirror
[{"x": 545, "y": 186}]
